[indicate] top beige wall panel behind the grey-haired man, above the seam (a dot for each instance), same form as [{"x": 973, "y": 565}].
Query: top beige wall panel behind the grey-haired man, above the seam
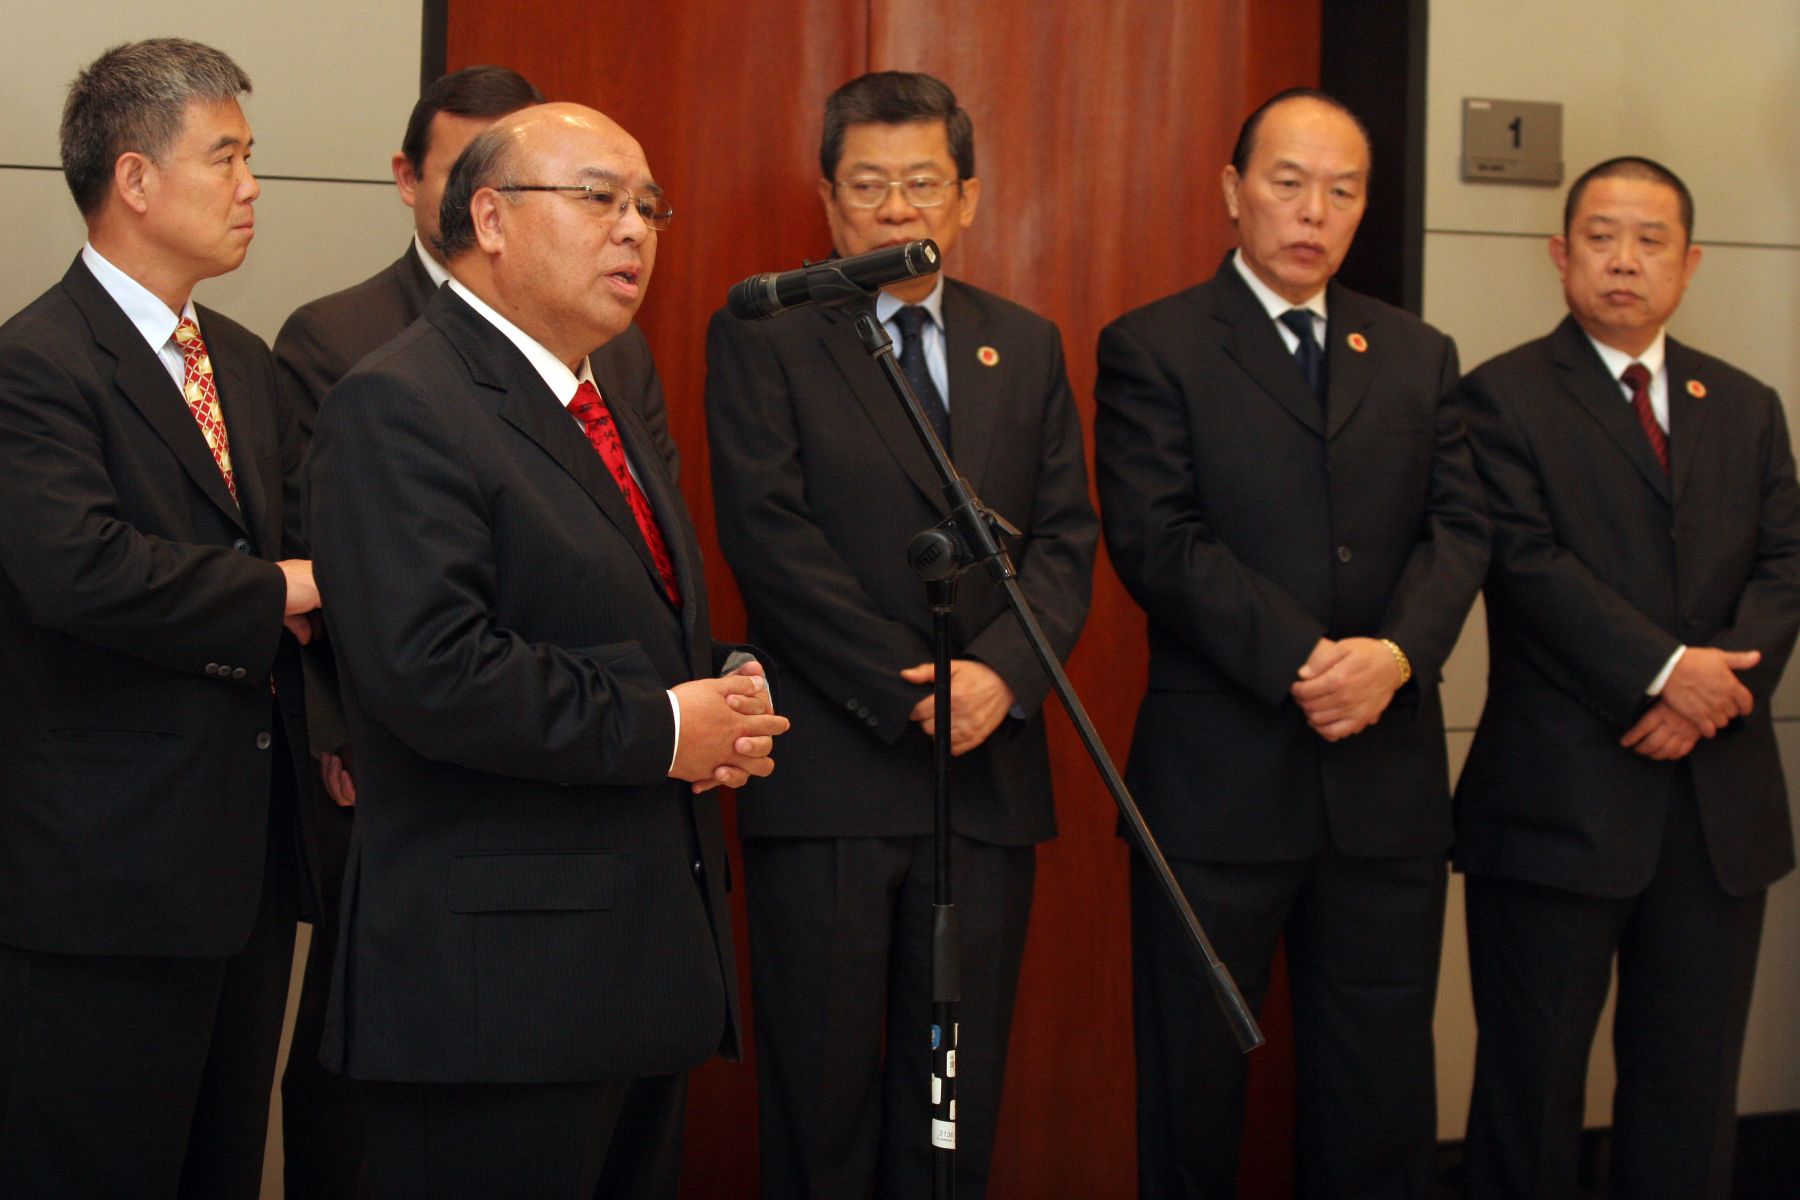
[{"x": 334, "y": 80}]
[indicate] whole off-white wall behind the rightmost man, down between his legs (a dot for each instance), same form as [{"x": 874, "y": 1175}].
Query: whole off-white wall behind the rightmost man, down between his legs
[{"x": 1713, "y": 93}]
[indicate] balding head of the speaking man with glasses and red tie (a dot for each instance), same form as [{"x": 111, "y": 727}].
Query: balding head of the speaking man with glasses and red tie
[{"x": 544, "y": 219}]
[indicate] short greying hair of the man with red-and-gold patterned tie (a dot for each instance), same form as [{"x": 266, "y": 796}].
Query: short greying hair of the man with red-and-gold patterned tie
[{"x": 134, "y": 100}]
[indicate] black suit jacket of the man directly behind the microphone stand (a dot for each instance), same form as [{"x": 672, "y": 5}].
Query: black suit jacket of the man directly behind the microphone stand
[{"x": 820, "y": 485}]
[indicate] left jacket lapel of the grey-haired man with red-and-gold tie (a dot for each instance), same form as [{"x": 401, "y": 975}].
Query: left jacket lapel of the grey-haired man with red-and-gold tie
[{"x": 147, "y": 384}]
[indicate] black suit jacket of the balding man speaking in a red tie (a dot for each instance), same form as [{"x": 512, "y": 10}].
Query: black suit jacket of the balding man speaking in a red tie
[{"x": 530, "y": 899}]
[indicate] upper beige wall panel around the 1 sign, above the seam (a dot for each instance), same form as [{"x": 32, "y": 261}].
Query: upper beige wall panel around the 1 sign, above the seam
[{"x": 1707, "y": 91}]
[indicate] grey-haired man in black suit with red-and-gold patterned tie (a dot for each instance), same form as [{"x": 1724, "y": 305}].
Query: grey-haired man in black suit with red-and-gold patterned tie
[{"x": 148, "y": 866}]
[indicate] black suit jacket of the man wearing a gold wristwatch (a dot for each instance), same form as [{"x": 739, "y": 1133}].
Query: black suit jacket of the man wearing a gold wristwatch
[{"x": 1250, "y": 524}]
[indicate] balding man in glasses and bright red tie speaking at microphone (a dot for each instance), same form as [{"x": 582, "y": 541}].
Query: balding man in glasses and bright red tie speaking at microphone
[{"x": 535, "y": 940}]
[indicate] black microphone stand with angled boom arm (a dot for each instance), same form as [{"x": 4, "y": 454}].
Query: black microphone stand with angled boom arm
[{"x": 969, "y": 539}]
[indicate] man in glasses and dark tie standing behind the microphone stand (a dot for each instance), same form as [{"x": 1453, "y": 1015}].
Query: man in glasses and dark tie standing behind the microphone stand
[{"x": 820, "y": 485}]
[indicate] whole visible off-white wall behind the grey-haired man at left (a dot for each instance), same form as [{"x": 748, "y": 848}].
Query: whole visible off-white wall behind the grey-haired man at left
[{"x": 334, "y": 85}]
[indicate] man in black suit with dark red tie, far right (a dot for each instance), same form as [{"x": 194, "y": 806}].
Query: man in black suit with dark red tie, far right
[{"x": 1624, "y": 796}]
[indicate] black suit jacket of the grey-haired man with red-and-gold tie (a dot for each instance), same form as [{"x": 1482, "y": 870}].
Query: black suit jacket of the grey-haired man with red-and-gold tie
[{"x": 139, "y": 629}]
